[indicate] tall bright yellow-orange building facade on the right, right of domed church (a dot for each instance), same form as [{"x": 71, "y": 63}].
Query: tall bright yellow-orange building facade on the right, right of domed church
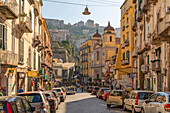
[{"x": 124, "y": 61}]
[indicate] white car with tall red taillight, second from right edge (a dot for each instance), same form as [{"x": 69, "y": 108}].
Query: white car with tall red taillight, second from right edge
[{"x": 135, "y": 100}]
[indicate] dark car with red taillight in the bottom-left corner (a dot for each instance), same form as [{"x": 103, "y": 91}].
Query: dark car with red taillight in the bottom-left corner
[{"x": 9, "y": 104}]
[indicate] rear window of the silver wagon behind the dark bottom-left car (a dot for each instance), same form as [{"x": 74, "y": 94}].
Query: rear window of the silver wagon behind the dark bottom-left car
[{"x": 32, "y": 98}]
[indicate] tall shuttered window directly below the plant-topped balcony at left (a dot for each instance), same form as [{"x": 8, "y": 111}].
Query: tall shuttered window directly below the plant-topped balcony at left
[{"x": 21, "y": 50}]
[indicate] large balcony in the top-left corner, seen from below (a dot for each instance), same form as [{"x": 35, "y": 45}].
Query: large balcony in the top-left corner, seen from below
[{"x": 8, "y": 9}]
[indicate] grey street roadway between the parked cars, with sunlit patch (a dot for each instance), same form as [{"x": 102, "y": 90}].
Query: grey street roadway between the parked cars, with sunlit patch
[{"x": 86, "y": 103}]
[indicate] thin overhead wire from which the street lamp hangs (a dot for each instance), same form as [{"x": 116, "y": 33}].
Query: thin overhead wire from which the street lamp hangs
[{"x": 70, "y": 3}]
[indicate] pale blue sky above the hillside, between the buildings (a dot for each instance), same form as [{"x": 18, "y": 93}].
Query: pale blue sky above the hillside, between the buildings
[{"x": 102, "y": 11}]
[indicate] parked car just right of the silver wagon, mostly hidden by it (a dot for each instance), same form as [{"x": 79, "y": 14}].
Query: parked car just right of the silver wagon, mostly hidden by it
[{"x": 52, "y": 101}]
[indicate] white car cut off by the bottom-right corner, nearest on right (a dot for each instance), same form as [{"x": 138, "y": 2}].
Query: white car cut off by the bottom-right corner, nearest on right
[{"x": 157, "y": 103}]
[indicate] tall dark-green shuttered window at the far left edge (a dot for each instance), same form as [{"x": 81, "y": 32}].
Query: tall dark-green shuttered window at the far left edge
[{"x": 3, "y": 37}]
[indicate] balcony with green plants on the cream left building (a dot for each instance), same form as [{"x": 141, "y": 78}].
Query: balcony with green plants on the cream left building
[{"x": 25, "y": 24}]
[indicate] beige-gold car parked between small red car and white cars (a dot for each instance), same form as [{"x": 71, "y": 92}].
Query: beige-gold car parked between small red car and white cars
[{"x": 116, "y": 97}]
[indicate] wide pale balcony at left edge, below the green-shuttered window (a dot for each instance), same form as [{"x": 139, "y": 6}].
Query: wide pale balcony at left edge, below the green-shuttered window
[{"x": 8, "y": 58}]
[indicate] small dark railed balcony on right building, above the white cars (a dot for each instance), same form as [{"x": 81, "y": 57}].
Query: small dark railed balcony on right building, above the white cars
[{"x": 156, "y": 65}]
